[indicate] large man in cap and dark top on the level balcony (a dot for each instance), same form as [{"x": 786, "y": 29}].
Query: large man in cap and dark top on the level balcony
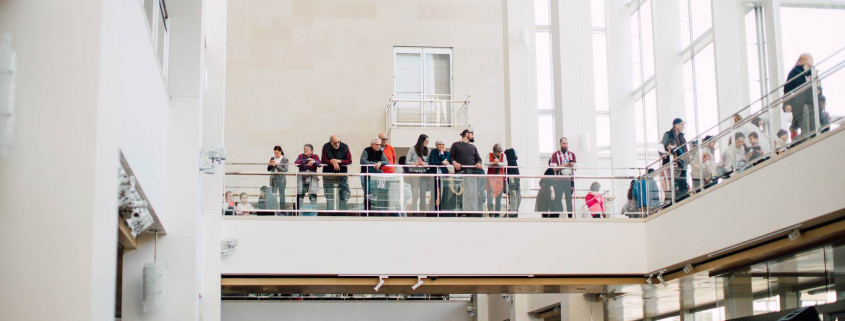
[{"x": 464, "y": 156}]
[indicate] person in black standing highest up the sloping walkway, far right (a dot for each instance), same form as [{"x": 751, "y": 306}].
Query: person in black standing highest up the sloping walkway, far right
[{"x": 800, "y": 104}]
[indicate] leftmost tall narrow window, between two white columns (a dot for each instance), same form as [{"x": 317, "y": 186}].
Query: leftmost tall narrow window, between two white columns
[{"x": 545, "y": 76}]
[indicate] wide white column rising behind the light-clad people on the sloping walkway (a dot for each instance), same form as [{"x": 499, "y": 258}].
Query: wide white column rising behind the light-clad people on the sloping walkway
[{"x": 731, "y": 58}]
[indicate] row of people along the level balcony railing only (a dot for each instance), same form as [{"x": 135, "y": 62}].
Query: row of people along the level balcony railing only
[{"x": 427, "y": 195}]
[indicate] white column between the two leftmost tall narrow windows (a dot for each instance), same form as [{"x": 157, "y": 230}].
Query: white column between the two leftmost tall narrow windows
[{"x": 574, "y": 98}]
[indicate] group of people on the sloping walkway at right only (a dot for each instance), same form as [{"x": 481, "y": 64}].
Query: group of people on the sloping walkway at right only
[{"x": 748, "y": 145}]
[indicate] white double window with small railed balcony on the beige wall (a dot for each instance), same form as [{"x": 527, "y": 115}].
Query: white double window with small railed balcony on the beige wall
[{"x": 423, "y": 75}]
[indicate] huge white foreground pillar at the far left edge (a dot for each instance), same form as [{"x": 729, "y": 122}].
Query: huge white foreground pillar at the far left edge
[{"x": 58, "y": 184}]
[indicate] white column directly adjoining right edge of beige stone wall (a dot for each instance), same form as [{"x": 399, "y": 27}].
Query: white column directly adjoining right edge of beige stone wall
[{"x": 520, "y": 80}]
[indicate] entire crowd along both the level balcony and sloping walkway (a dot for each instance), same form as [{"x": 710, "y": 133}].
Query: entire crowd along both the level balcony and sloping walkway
[{"x": 466, "y": 195}]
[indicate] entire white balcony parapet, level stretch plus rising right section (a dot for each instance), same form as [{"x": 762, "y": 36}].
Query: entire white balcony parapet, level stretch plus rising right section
[{"x": 741, "y": 210}]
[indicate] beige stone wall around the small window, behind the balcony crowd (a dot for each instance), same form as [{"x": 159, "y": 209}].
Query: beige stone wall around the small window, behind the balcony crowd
[{"x": 301, "y": 70}]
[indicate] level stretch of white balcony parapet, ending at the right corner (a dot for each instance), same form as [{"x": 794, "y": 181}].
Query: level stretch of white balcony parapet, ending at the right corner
[{"x": 433, "y": 247}]
